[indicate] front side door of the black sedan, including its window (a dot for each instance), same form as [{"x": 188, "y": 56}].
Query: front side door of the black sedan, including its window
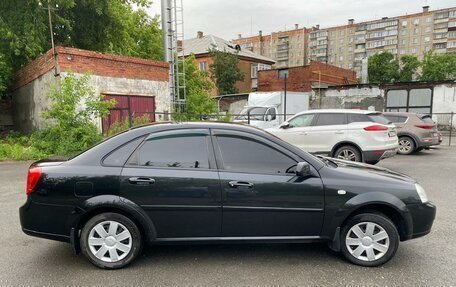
[{"x": 262, "y": 195}]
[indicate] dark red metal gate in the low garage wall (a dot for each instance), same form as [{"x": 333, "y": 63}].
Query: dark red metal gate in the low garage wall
[{"x": 128, "y": 108}]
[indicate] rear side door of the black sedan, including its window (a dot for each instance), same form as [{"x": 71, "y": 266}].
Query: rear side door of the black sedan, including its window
[{"x": 172, "y": 176}]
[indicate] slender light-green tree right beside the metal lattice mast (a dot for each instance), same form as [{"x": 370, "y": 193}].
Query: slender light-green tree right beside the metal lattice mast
[{"x": 198, "y": 88}]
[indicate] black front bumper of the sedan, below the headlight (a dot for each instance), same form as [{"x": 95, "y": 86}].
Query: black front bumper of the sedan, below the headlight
[{"x": 422, "y": 216}]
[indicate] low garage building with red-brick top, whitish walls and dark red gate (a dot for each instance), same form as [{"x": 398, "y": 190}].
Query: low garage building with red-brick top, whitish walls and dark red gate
[{"x": 140, "y": 86}]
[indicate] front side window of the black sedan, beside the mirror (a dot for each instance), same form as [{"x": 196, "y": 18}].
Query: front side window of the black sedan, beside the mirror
[{"x": 242, "y": 154}]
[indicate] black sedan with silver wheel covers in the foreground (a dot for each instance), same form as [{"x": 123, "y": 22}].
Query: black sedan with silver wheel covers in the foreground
[{"x": 216, "y": 182}]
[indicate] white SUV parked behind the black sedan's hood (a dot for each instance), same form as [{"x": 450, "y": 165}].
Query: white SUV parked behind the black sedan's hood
[{"x": 354, "y": 135}]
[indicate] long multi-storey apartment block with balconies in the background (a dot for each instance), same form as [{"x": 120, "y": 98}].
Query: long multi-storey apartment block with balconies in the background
[{"x": 347, "y": 45}]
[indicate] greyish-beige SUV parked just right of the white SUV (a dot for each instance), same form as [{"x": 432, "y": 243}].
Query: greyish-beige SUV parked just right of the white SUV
[{"x": 415, "y": 131}]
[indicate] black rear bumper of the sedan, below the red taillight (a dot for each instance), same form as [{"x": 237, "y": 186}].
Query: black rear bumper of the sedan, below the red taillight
[{"x": 45, "y": 221}]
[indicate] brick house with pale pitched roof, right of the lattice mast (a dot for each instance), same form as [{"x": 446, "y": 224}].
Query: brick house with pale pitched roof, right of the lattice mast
[{"x": 249, "y": 63}]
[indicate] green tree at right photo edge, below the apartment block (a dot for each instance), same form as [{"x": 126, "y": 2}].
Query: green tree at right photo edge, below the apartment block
[{"x": 436, "y": 67}]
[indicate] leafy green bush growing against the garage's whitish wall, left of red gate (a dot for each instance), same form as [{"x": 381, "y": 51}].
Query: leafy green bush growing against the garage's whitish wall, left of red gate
[{"x": 73, "y": 107}]
